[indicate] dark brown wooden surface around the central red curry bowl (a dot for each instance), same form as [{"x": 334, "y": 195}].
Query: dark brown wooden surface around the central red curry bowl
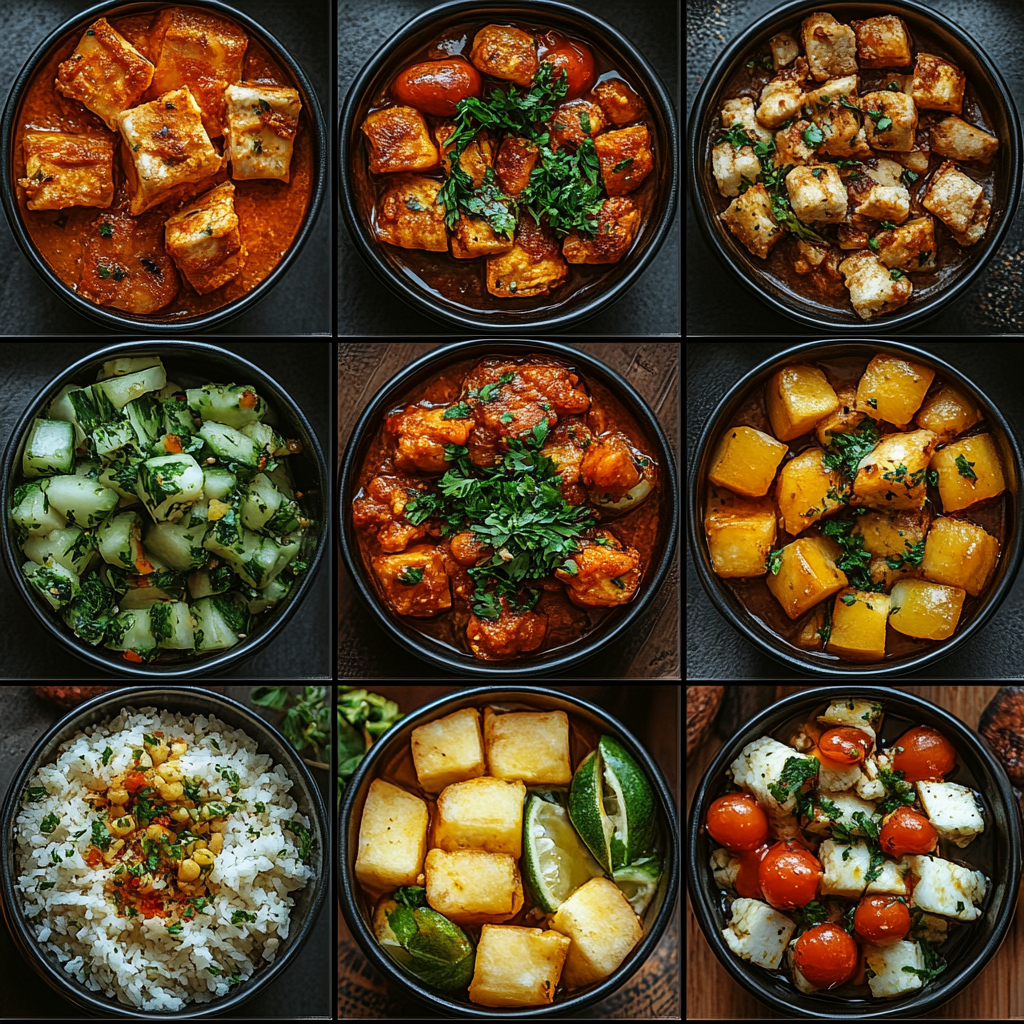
[{"x": 650, "y": 651}]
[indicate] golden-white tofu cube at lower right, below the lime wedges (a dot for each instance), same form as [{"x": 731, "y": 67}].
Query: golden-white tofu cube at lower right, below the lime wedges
[{"x": 604, "y": 928}]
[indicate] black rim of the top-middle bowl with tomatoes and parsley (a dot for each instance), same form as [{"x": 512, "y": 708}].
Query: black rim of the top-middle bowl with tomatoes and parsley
[{"x": 417, "y": 297}]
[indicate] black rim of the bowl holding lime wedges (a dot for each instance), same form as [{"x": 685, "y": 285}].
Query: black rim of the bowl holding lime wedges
[{"x": 522, "y": 695}]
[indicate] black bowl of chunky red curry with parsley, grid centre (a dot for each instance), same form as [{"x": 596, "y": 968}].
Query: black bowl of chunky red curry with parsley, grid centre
[{"x": 507, "y": 509}]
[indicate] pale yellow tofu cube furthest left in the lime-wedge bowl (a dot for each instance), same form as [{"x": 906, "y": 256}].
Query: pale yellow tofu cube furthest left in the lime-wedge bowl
[{"x": 393, "y": 839}]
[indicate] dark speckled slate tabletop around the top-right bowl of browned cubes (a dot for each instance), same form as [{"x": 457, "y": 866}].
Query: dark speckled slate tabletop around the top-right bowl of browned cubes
[{"x": 717, "y": 304}]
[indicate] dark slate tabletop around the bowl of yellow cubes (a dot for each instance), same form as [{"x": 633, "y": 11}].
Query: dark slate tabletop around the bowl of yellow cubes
[{"x": 714, "y": 649}]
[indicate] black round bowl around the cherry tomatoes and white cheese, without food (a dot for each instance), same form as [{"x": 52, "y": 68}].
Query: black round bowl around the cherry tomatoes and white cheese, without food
[{"x": 997, "y": 852}]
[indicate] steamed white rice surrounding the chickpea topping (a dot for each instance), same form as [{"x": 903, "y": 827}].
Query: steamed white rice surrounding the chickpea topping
[{"x": 136, "y": 960}]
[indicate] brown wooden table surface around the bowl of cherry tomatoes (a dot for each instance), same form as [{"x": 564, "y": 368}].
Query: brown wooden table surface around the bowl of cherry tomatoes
[{"x": 999, "y": 995}]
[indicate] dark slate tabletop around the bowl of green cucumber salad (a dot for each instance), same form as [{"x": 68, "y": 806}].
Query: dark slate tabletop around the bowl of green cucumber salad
[{"x": 303, "y": 649}]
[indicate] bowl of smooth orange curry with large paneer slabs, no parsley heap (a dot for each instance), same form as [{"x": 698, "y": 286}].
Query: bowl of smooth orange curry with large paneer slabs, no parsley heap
[{"x": 163, "y": 163}]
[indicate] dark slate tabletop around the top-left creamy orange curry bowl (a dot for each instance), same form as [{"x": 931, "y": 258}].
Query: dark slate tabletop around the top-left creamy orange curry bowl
[{"x": 301, "y": 303}]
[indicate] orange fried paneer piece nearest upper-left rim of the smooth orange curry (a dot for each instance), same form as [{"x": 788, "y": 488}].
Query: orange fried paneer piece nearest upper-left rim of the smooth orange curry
[{"x": 106, "y": 74}]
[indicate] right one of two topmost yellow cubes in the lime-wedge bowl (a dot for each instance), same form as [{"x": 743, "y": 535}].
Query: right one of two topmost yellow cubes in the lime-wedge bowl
[{"x": 529, "y": 747}]
